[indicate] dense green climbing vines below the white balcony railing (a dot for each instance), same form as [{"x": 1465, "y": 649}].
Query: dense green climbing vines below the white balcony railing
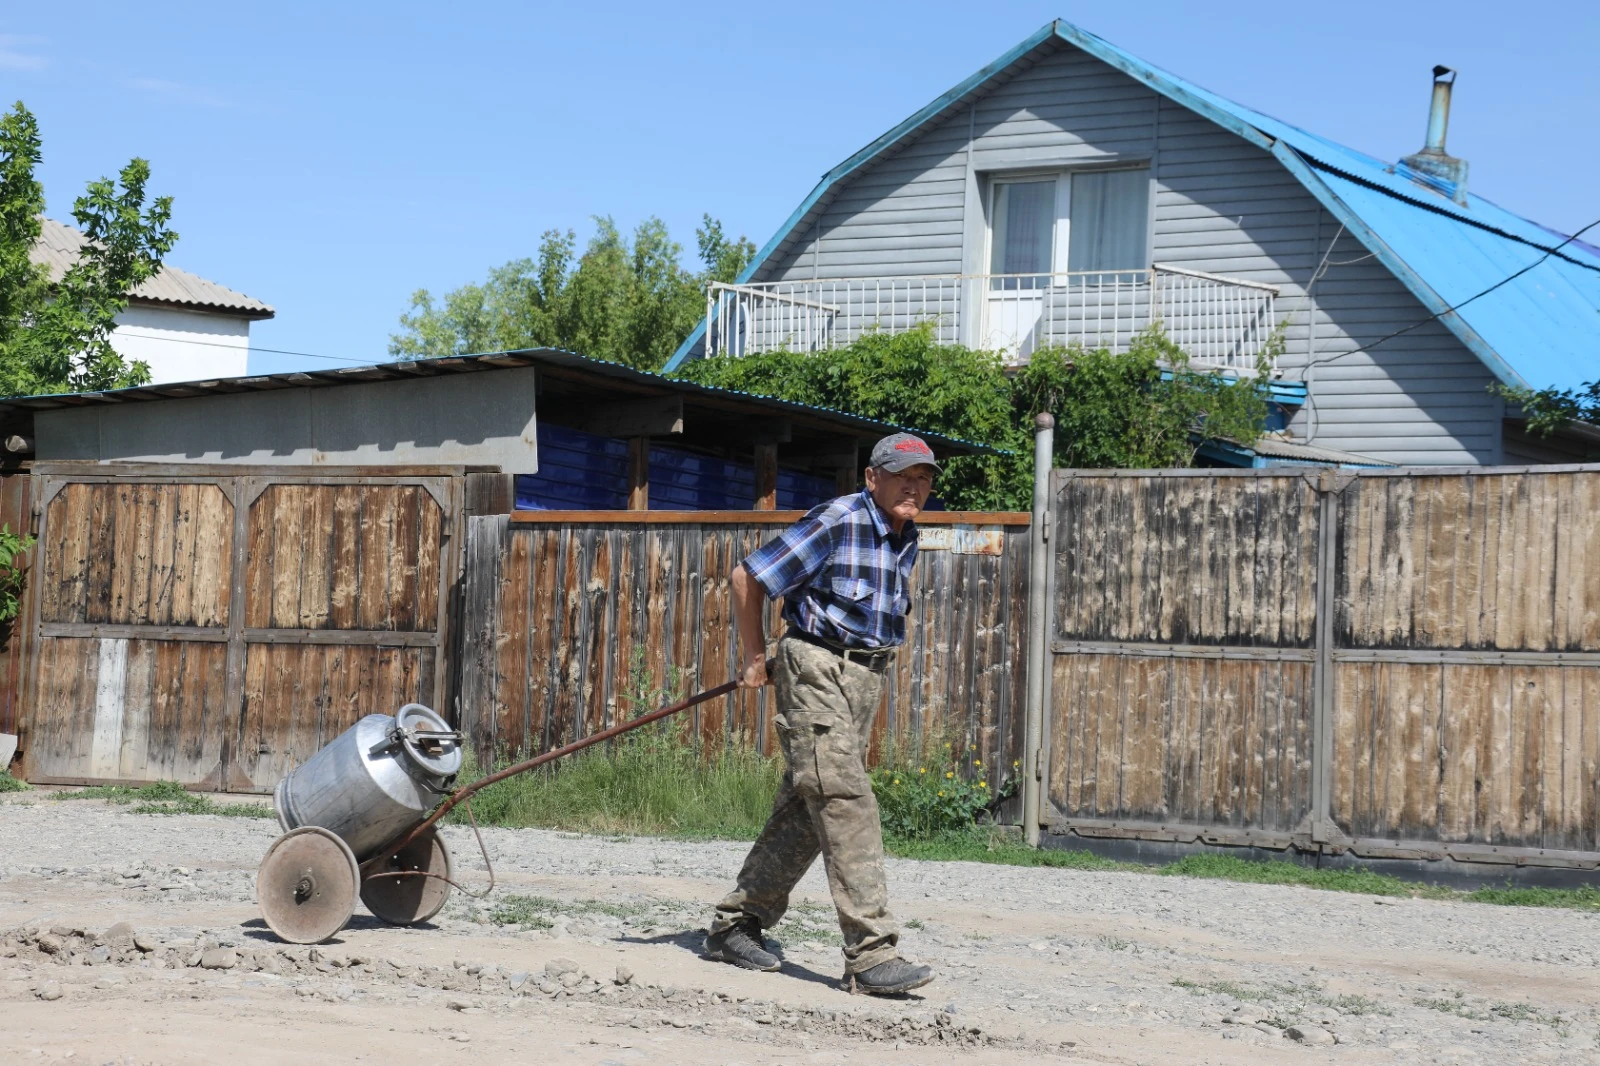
[{"x": 1142, "y": 409}]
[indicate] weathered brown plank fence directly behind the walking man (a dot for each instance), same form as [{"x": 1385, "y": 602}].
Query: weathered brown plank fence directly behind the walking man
[{"x": 574, "y": 622}]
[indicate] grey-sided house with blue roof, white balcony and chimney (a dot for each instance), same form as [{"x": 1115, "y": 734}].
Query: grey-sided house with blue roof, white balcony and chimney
[{"x": 1073, "y": 194}]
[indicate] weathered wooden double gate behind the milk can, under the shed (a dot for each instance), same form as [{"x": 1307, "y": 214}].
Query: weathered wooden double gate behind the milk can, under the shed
[{"x": 215, "y": 627}]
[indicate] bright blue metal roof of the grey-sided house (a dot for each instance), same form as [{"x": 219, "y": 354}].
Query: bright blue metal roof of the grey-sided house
[{"x": 1542, "y": 329}]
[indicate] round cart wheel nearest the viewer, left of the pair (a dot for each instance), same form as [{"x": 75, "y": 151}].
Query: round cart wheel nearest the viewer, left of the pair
[{"x": 308, "y": 886}]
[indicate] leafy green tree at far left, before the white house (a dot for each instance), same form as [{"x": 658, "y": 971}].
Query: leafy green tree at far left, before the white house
[{"x": 57, "y": 337}]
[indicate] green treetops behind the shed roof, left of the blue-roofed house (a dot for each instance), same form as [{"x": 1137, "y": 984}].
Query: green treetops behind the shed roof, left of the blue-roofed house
[{"x": 626, "y": 300}]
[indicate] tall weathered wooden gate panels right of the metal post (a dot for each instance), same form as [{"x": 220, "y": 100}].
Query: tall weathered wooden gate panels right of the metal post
[{"x": 1388, "y": 663}]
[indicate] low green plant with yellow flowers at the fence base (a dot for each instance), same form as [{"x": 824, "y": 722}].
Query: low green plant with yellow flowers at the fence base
[{"x": 934, "y": 793}]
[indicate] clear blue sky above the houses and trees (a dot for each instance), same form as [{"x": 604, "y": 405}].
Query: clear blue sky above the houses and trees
[{"x": 332, "y": 161}]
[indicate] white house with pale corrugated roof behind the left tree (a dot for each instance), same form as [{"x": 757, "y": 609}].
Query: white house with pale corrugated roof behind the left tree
[{"x": 183, "y": 326}]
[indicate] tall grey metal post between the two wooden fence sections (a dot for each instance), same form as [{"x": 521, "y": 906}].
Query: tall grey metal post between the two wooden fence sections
[{"x": 1038, "y": 627}]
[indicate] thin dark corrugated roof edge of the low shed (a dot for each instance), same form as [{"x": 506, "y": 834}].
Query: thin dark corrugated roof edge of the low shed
[{"x": 490, "y": 361}]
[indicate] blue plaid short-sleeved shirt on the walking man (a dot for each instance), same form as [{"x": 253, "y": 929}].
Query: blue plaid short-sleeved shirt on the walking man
[{"x": 844, "y": 574}]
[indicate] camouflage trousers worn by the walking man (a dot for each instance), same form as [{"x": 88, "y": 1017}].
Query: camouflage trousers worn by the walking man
[{"x": 825, "y": 806}]
